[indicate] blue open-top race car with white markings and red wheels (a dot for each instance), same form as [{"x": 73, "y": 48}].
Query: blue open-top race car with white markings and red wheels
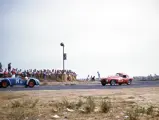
[{"x": 30, "y": 82}]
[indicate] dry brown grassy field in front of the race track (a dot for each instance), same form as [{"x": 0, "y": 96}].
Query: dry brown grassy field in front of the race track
[{"x": 115, "y": 104}]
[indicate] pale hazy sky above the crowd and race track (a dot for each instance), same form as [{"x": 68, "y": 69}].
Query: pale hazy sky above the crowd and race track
[{"x": 108, "y": 36}]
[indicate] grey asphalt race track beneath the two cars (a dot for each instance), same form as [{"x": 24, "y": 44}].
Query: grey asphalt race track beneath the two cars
[{"x": 95, "y": 85}]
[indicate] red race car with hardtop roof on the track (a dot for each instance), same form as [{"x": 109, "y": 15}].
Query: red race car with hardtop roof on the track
[{"x": 119, "y": 78}]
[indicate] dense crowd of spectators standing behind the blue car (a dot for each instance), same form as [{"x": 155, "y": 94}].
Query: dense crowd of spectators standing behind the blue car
[{"x": 40, "y": 74}]
